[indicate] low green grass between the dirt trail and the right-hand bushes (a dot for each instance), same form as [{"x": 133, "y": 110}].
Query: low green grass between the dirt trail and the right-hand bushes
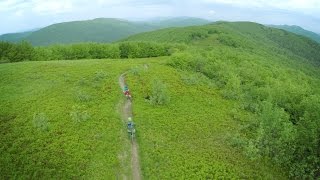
[{"x": 189, "y": 137}]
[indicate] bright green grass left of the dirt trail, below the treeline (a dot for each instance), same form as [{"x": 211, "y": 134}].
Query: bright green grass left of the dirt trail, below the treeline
[{"x": 59, "y": 119}]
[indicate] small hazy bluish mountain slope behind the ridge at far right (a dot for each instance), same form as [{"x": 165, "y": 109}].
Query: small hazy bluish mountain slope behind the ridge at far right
[{"x": 300, "y": 31}]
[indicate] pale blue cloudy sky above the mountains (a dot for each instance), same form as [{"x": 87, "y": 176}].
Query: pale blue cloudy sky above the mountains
[{"x": 24, "y": 15}]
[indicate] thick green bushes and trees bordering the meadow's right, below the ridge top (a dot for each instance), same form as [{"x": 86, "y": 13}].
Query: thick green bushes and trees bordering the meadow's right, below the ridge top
[{"x": 278, "y": 107}]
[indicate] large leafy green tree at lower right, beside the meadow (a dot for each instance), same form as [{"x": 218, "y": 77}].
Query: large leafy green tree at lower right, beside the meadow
[{"x": 276, "y": 134}]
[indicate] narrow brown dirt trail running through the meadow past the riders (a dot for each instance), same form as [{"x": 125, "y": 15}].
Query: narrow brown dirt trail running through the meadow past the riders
[{"x": 127, "y": 112}]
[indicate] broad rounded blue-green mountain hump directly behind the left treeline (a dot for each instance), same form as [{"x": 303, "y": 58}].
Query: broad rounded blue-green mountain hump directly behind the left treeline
[{"x": 97, "y": 30}]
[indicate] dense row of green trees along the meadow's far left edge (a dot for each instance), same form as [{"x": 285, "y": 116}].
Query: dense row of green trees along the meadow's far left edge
[{"x": 24, "y": 51}]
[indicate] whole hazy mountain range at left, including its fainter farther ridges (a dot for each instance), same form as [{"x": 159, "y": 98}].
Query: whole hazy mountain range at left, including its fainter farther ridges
[{"x": 96, "y": 30}]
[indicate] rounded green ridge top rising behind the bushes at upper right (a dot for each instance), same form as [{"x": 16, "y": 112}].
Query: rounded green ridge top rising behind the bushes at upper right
[{"x": 245, "y": 35}]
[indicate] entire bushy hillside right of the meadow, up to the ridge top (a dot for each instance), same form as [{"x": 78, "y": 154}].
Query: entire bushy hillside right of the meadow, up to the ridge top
[{"x": 272, "y": 76}]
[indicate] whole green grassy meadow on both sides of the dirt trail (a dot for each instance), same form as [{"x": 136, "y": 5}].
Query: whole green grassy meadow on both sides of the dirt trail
[{"x": 60, "y": 119}]
